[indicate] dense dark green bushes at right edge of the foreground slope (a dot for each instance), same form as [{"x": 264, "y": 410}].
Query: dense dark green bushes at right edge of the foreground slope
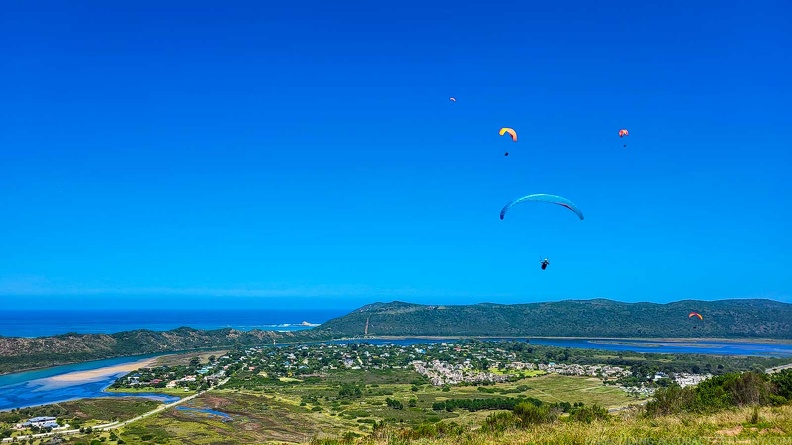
[{"x": 725, "y": 391}]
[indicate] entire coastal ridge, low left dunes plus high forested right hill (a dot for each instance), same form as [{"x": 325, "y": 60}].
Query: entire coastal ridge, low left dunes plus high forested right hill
[{"x": 600, "y": 318}]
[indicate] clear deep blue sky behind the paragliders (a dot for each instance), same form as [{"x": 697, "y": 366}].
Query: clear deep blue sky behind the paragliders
[{"x": 306, "y": 152}]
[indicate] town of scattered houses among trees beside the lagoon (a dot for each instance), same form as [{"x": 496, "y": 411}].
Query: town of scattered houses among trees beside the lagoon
[{"x": 468, "y": 362}]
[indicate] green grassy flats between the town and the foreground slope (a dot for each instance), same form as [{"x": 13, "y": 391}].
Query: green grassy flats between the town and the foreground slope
[{"x": 298, "y": 411}]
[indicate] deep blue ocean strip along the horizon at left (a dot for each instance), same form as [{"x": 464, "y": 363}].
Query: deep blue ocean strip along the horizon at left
[{"x": 41, "y": 323}]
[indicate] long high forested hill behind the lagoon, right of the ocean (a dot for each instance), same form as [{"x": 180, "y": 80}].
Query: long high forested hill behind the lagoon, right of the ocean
[{"x": 572, "y": 318}]
